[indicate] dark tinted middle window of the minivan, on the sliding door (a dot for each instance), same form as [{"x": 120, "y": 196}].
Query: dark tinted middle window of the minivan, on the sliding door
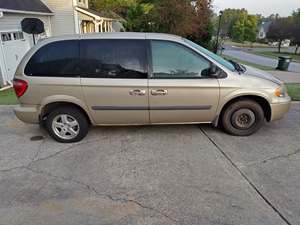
[{"x": 113, "y": 59}]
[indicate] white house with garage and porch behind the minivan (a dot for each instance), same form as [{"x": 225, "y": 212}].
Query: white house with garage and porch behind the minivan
[{"x": 59, "y": 17}]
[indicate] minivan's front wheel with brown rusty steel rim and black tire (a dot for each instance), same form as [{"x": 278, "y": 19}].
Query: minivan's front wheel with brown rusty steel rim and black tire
[{"x": 243, "y": 118}]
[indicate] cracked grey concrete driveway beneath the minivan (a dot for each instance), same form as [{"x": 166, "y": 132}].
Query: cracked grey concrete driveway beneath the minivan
[{"x": 157, "y": 175}]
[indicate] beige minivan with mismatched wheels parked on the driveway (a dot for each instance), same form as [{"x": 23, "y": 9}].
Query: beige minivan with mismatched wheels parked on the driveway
[{"x": 71, "y": 82}]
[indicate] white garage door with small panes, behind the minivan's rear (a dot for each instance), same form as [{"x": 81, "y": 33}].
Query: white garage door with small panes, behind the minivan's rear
[{"x": 14, "y": 47}]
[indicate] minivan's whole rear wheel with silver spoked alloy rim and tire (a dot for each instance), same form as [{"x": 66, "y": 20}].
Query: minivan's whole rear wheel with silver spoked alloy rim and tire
[{"x": 67, "y": 125}]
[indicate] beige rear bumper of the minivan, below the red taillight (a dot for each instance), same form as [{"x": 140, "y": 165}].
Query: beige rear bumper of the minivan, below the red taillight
[{"x": 27, "y": 113}]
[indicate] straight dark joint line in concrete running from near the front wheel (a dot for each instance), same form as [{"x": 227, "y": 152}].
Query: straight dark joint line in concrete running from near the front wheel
[{"x": 252, "y": 185}]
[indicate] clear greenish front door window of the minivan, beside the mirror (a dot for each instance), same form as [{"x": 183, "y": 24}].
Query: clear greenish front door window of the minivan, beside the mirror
[{"x": 172, "y": 60}]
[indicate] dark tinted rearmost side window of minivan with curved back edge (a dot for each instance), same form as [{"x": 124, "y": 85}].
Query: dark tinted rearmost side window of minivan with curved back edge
[{"x": 57, "y": 59}]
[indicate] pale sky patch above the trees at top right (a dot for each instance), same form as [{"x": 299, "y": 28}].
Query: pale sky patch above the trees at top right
[{"x": 264, "y": 7}]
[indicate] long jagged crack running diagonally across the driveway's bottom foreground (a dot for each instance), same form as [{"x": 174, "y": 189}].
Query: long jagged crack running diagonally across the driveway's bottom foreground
[{"x": 105, "y": 195}]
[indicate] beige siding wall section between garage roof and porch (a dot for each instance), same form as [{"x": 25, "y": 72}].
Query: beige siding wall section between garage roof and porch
[{"x": 63, "y": 21}]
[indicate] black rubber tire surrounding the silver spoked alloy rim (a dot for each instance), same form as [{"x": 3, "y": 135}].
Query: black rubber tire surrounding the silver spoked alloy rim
[{"x": 82, "y": 128}]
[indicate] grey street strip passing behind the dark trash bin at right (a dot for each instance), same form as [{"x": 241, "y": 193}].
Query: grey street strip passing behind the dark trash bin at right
[{"x": 260, "y": 60}]
